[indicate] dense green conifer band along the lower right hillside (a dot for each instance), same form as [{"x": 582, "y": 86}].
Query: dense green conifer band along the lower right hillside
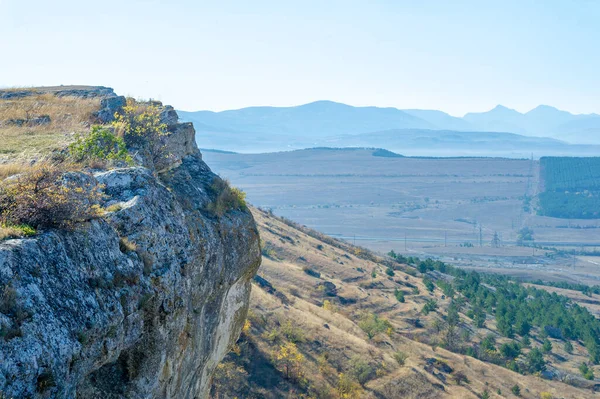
[{"x": 516, "y": 308}]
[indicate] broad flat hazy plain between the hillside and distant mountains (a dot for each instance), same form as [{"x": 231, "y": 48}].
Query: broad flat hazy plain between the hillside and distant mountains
[{"x": 443, "y": 207}]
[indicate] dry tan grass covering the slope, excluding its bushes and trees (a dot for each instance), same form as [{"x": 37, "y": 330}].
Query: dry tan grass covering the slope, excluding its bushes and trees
[{"x": 333, "y": 339}]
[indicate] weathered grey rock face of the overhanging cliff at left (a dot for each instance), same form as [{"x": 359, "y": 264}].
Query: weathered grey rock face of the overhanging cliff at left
[{"x": 142, "y": 303}]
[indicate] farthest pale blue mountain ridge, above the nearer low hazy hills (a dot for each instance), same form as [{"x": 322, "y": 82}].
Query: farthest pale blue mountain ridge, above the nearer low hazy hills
[{"x": 321, "y": 119}]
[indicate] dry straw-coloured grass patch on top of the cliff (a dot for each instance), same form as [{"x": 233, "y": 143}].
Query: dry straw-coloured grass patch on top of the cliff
[{"x": 23, "y": 138}]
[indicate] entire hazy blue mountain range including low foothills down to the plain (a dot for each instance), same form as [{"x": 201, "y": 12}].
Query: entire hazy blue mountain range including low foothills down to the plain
[{"x": 544, "y": 128}]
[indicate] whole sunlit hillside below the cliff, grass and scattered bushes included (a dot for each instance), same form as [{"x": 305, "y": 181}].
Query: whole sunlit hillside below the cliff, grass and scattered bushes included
[{"x": 322, "y": 295}]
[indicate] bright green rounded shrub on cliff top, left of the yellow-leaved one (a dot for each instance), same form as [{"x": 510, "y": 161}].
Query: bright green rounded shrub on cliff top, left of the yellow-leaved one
[{"x": 100, "y": 144}]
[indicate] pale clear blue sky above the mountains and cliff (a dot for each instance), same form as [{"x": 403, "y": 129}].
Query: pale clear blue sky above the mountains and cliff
[{"x": 457, "y": 56}]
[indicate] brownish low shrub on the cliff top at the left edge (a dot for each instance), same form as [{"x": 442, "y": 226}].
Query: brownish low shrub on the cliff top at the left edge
[{"x": 48, "y": 197}]
